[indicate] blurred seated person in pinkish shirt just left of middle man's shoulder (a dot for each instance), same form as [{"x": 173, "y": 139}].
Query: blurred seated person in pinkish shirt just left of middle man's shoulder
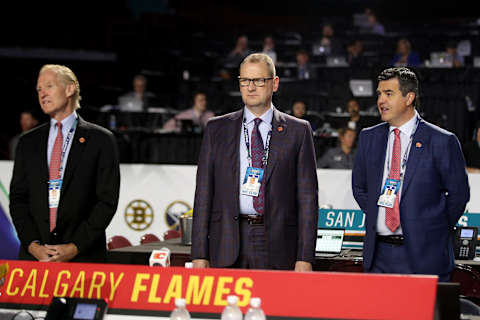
[{"x": 198, "y": 114}]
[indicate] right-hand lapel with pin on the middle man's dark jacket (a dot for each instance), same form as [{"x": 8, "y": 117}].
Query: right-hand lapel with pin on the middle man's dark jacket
[{"x": 279, "y": 130}]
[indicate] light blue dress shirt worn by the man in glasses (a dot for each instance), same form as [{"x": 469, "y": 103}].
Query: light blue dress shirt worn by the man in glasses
[{"x": 246, "y": 202}]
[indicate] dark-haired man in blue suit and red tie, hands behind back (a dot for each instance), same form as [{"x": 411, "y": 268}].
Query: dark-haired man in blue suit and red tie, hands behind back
[{"x": 410, "y": 231}]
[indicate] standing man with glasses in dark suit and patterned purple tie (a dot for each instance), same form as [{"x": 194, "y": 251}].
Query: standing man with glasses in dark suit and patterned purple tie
[{"x": 256, "y": 199}]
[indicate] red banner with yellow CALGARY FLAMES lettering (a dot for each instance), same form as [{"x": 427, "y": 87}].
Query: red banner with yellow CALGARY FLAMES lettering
[{"x": 283, "y": 293}]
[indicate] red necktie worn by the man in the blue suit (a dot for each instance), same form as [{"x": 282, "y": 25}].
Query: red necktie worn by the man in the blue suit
[{"x": 392, "y": 215}]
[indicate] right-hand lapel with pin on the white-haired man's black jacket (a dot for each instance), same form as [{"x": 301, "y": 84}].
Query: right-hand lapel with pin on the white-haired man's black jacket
[{"x": 79, "y": 141}]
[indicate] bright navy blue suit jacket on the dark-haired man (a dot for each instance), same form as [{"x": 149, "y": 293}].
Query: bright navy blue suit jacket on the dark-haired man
[{"x": 435, "y": 192}]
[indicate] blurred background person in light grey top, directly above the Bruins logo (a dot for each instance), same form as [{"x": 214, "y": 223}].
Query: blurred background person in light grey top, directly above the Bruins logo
[{"x": 139, "y": 99}]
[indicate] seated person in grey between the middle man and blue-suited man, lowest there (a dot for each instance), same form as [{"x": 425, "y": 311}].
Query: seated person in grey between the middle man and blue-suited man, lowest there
[{"x": 340, "y": 157}]
